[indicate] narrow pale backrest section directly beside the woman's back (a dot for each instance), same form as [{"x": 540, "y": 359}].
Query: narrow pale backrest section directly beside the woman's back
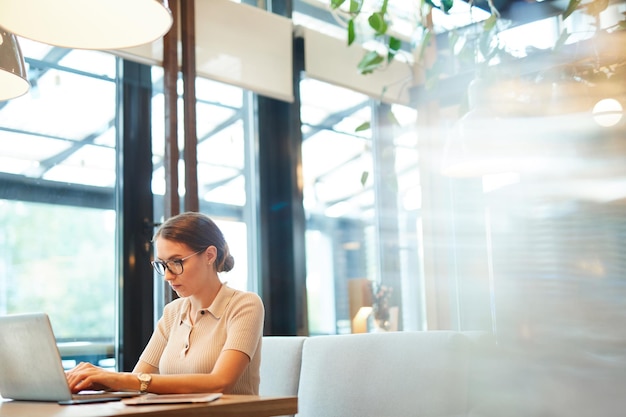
[{"x": 281, "y": 357}]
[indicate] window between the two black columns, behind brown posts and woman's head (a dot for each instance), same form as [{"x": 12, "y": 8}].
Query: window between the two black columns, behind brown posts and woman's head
[{"x": 224, "y": 143}]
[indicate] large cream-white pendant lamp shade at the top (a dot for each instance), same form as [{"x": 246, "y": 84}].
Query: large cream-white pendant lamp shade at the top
[{"x": 87, "y": 24}]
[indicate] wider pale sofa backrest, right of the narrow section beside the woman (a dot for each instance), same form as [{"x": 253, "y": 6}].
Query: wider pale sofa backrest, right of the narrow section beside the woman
[{"x": 396, "y": 374}]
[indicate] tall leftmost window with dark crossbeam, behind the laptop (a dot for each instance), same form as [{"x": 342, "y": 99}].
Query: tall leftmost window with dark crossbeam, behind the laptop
[{"x": 57, "y": 216}]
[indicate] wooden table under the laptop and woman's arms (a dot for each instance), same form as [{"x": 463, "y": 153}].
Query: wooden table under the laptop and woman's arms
[{"x": 227, "y": 405}]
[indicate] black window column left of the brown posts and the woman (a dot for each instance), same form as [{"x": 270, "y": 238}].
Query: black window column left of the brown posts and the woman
[{"x": 135, "y": 211}]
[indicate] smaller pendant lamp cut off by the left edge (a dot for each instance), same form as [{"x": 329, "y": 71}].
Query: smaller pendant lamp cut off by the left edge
[{"x": 13, "y": 78}]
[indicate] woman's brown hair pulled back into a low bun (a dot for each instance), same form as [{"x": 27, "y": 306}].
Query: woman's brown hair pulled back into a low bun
[{"x": 197, "y": 231}]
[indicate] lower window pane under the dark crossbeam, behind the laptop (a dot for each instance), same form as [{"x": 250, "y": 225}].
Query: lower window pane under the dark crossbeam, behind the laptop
[{"x": 60, "y": 260}]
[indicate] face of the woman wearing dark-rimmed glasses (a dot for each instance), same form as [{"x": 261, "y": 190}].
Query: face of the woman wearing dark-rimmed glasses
[{"x": 195, "y": 267}]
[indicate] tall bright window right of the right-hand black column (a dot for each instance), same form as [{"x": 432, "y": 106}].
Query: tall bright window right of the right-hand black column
[{"x": 361, "y": 197}]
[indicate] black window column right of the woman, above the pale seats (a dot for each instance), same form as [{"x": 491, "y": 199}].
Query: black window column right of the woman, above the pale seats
[{"x": 282, "y": 222}]
